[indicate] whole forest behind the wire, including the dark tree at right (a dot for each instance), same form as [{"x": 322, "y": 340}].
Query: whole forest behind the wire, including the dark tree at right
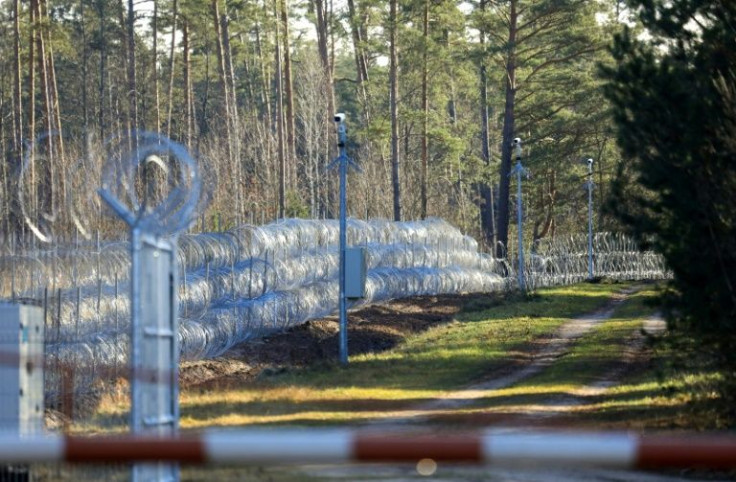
[{"x": 434, "y": 92}]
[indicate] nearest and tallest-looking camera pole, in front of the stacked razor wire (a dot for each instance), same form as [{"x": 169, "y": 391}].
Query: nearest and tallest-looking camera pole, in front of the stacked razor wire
[{"x": 343, "y": 161}]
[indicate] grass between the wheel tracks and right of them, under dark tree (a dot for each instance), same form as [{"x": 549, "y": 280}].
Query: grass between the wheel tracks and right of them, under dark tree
[{"x": 659, "y": 394}]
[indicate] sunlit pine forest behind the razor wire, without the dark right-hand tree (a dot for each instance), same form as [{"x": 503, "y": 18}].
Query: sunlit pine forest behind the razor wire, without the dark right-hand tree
[{"x": 434, "y": 92}]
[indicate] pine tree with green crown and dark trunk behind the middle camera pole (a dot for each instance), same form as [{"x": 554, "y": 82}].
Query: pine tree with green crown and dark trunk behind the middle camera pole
[{"x": 539, "y": 45}]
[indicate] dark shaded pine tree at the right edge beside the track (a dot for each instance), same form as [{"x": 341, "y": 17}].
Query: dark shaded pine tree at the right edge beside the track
[{"x": 674, "y": 98}]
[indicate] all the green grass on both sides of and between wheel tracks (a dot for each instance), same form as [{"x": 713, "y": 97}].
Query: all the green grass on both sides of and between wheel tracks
[{"x": 487, "y": 335}]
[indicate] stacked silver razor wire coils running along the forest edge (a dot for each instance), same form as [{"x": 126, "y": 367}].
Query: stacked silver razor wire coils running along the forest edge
[{"x": 255, "y": 280}]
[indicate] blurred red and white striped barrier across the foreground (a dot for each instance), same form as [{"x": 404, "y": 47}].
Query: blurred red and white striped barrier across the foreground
[{"x": 343, "y": 446}]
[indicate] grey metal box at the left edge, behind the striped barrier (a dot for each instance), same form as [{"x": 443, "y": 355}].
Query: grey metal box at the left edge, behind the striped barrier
[{"x": 21, "y": 369}]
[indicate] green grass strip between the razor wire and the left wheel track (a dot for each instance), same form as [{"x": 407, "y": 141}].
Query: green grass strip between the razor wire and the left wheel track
[{"x": 422, "y": 368}]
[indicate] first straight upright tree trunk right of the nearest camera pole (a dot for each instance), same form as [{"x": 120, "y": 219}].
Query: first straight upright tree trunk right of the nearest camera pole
[{"x": 394, "y": 94}]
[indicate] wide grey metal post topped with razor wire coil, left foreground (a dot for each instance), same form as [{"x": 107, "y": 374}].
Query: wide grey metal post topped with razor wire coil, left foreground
[{"x": 154, "y": 342}]
